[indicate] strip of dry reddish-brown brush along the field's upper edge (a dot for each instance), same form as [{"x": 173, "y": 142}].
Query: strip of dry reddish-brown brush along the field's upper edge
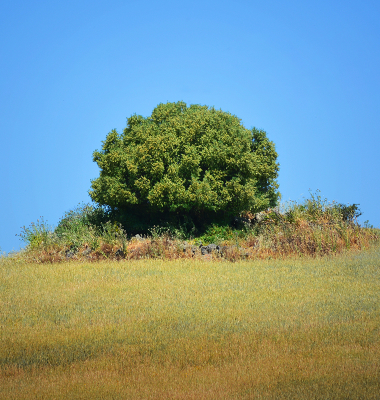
[{"x": 301, "y": 238}]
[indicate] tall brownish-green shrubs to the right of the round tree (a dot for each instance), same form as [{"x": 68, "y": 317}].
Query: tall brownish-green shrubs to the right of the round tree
[{"x": 314, "y": 227}]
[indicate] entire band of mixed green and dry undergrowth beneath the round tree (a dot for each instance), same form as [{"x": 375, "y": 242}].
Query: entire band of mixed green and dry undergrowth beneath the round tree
[{"x": 312, "y": 228}]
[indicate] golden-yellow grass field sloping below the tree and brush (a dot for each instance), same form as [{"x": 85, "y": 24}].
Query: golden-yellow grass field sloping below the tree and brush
[{"x": 192, "y": 329}]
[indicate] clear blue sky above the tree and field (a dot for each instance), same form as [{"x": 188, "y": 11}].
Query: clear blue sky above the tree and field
[{"x": 305, "y": 72}]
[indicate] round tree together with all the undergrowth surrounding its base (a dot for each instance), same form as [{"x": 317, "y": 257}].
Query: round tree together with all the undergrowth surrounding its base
[{"x": 191, "y": 181}]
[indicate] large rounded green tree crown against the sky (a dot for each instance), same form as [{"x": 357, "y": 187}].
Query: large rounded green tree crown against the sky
[{"x": 191, "y": 161}]
